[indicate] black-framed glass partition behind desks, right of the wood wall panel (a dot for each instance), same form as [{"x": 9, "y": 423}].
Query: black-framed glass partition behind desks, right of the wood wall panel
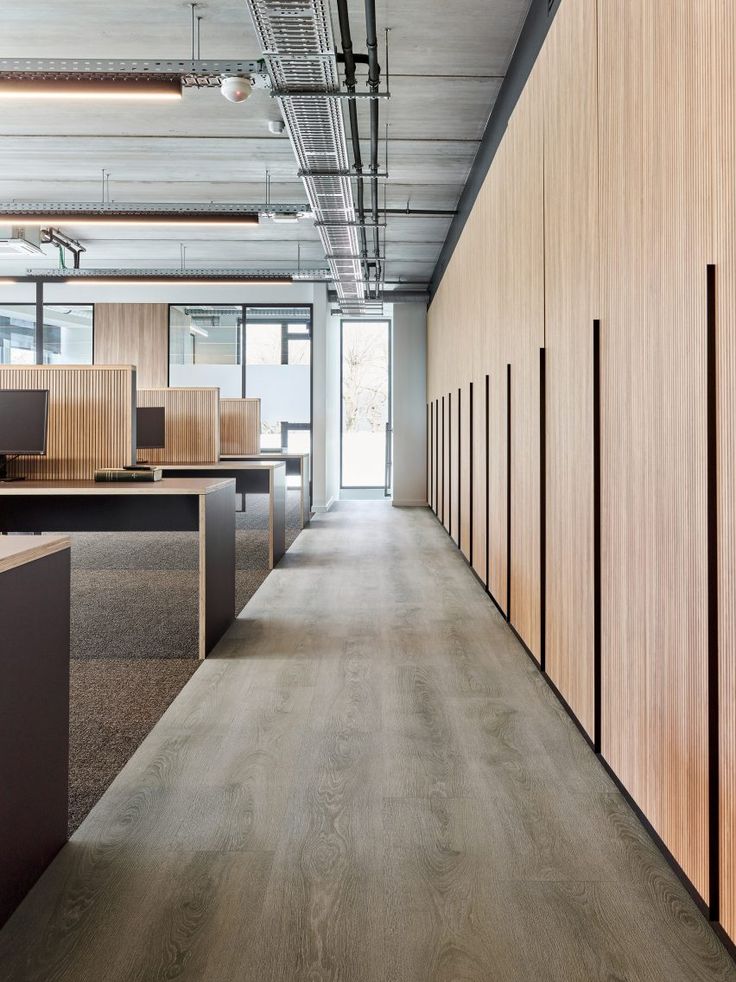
[{"x": 262, "y": 352}]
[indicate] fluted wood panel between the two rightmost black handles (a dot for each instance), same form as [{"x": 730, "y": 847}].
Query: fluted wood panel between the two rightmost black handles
[{"x": 654, "y": 115}]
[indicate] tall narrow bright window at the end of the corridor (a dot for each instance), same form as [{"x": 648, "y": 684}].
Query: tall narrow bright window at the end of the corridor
[{"x": 365, "y": 403}]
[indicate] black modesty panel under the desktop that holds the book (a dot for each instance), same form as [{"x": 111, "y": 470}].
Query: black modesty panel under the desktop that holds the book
[{"x": 110, "y": 513}]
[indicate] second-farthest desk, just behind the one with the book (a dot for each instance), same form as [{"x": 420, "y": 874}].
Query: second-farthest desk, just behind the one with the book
[{"x": 251, "y": 477}]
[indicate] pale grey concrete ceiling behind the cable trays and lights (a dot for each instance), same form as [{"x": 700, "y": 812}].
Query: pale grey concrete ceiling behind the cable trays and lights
[{"x": 447, "y": 62}]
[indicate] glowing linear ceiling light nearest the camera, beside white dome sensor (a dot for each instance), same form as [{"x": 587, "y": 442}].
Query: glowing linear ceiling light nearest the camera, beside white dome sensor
[{"x": 89, "y": 87}]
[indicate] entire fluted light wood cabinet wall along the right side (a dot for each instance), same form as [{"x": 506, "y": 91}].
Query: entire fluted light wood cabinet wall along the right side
[{"x": 610, "y": 194}]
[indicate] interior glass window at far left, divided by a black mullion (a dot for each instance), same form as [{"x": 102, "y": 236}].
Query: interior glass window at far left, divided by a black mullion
[{"x": 67, "y": 334}]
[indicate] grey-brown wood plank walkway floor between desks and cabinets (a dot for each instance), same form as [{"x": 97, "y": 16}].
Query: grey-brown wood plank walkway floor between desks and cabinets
[{"x": 369, "y": 782}]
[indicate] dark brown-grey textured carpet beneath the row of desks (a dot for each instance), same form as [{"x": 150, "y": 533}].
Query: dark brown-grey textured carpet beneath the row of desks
[{"x": 134, "y": 636}]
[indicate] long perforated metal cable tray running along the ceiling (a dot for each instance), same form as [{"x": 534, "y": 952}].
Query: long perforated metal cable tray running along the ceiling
[{"x": 298, "y": 49}]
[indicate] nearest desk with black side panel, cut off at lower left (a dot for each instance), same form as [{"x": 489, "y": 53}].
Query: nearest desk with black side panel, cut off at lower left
[{"x": 34, "y": 710}]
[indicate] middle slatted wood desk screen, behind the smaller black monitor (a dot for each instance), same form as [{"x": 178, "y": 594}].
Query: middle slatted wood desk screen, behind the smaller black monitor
[{"x": 192, "y": 425}]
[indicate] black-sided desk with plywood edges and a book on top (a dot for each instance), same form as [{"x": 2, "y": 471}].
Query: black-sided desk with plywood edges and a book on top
[{"x": 179, "y": 505}]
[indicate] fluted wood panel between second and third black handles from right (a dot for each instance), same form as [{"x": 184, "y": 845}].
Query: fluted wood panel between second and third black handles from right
[{"x": 570, "y": 64}]
